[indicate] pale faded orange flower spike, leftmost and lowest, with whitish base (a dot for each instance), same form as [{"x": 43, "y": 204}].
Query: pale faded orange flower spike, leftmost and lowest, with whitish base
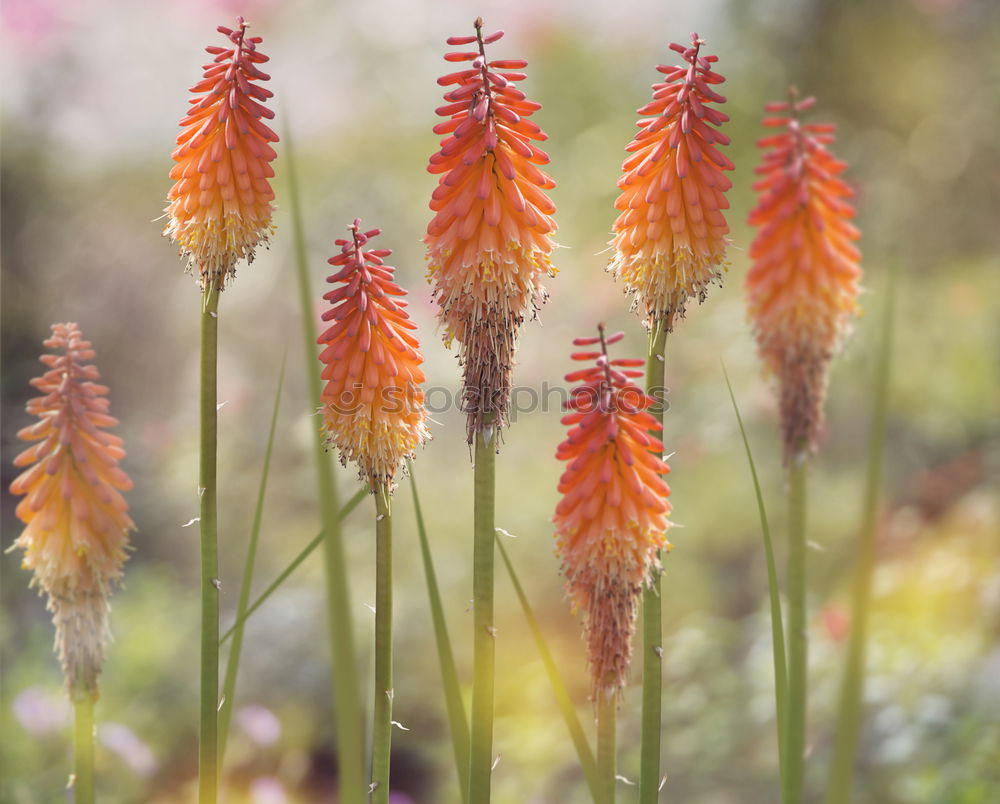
[{"x": 76, "y": 520}]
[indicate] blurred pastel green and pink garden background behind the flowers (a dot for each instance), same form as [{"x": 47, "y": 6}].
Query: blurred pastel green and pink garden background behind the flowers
[{"x": 92, "y": 94}]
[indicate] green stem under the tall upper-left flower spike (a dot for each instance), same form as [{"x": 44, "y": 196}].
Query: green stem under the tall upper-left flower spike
[{"x": 208, "y": 760}]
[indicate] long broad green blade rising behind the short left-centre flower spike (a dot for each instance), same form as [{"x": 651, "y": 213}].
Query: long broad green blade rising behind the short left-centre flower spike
[{"x": 348, "y": 717}]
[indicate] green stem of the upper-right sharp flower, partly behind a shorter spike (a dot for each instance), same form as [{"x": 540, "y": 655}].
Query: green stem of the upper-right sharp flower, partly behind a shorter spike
[{"x": 652, "y": 626}]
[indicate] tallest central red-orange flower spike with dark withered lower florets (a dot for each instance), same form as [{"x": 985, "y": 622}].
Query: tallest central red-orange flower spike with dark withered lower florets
[{"x": 488, "y": 244}]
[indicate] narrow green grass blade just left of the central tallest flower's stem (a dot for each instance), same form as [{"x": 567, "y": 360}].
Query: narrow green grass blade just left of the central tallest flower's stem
[{"x": 457, "y": 723}]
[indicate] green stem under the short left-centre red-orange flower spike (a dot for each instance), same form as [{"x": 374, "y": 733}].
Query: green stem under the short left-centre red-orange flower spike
[{"x": 382, "y": 728}]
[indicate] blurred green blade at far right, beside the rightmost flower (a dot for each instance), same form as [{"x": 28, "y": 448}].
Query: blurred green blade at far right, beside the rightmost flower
[{"x": 853, "y": 682}]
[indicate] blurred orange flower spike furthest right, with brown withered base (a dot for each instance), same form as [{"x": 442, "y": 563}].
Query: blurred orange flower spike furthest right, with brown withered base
[{"x": 803, "y": 286}]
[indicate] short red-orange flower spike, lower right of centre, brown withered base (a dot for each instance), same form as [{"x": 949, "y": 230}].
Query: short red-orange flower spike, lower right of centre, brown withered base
[{"x": 612, "y": 518}]
